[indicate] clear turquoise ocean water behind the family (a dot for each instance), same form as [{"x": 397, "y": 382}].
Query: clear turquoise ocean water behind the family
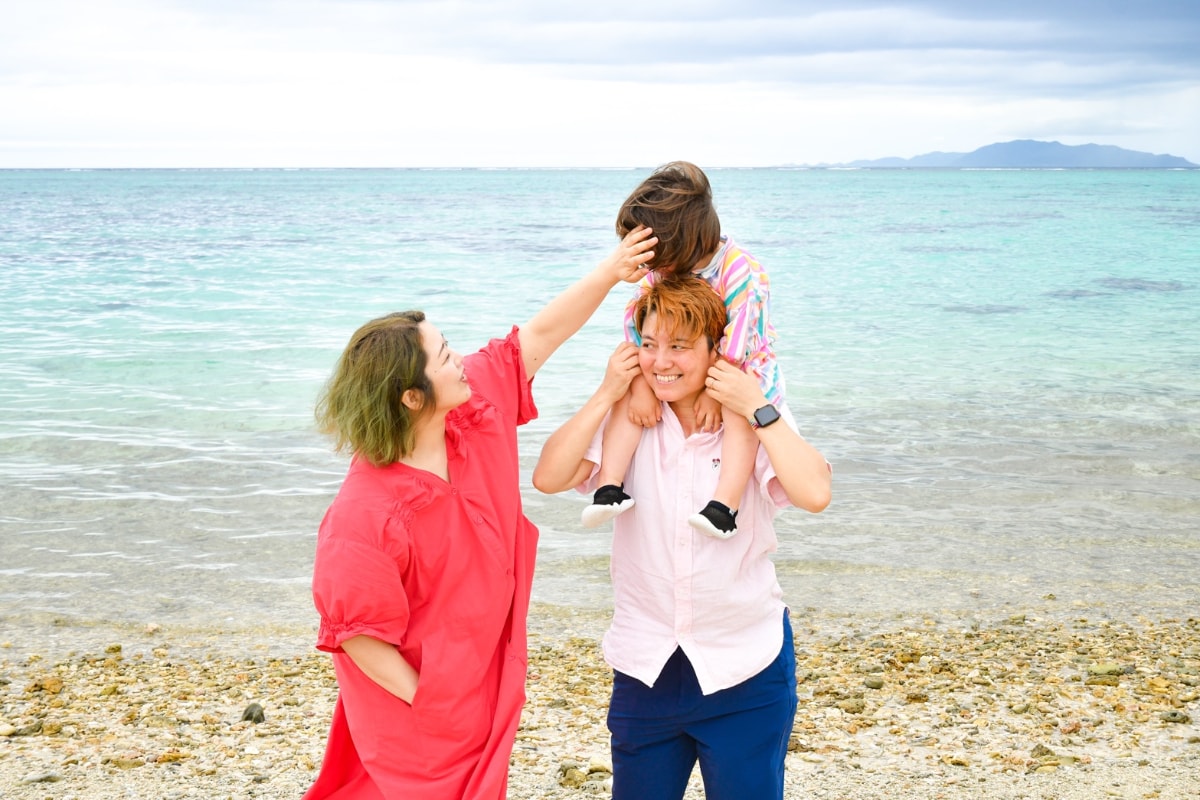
[{"x": 1004, "y": 368}]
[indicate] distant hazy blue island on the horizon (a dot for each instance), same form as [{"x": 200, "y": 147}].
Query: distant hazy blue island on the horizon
[{"x": 1029, "y": 154}]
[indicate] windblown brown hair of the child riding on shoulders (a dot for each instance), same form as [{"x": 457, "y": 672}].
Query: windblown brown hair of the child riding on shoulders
[{"x": 677, "y": 202}]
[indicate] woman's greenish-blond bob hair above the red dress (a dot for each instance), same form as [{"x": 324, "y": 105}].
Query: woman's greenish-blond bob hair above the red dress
[{"x": 362, "y": 406}]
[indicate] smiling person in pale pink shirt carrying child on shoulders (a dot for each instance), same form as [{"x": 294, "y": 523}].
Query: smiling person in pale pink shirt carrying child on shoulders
[{"x": 700, "y": 641}]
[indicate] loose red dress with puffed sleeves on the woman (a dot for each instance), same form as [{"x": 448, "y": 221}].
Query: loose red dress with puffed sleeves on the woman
[{"x": 443, "y": 572}]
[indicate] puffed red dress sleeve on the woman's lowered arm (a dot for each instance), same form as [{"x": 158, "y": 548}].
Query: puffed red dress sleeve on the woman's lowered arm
[{"x": 358, "y": 591}]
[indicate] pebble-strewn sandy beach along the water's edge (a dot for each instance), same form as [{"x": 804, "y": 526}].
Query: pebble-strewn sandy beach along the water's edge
[{"x": 1007, "y": 708}]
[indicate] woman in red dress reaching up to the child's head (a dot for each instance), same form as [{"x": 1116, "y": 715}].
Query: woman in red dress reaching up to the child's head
[{"x": 425, "y": 560}]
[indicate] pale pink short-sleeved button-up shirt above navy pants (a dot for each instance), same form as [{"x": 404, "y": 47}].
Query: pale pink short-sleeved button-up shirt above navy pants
[{"x": 718, "y": 600}]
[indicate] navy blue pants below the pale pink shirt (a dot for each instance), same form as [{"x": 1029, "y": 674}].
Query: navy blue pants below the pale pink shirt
[{"x": 740, "y": 735}]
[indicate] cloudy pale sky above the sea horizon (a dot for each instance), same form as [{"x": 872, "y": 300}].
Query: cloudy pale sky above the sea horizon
[{"x": 565, "y": 83}]
